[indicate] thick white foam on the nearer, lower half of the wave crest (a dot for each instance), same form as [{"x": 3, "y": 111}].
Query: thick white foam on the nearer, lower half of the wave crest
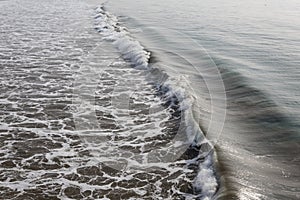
[{"x": 205, "y": 181}]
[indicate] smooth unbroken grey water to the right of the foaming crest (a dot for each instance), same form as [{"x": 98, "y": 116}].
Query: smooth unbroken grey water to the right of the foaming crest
[{"x": 255, "y": 47}]
